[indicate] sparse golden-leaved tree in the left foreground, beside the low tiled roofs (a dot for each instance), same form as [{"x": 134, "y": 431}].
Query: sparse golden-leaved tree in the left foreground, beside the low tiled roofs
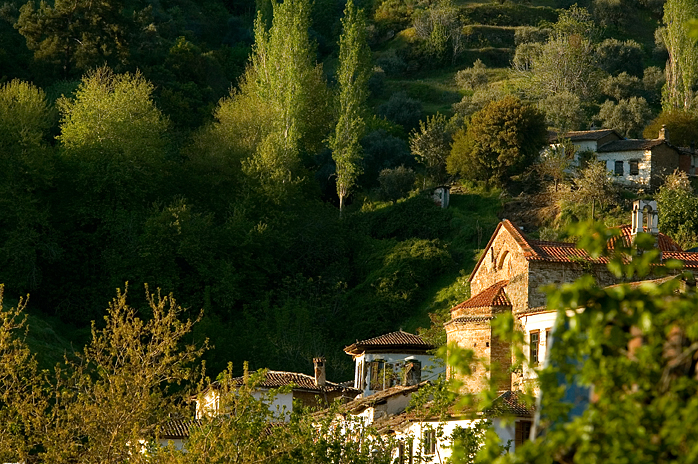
[{"x": 118, "y": 390}]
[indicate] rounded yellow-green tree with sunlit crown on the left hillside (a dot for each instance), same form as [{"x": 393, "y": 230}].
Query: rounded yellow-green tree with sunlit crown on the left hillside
[{"x": 114, "y": 138}]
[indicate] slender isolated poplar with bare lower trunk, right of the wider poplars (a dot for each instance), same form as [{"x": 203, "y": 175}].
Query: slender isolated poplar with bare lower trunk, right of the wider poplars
[{"x": 352, "y": 75}]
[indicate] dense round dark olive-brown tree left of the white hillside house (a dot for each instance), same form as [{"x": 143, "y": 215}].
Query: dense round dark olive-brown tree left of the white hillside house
[{"x": 501, "y": 141}]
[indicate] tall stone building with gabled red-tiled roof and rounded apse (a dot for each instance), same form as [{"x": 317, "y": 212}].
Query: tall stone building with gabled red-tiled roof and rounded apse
[{"x": 508, "y": 278}]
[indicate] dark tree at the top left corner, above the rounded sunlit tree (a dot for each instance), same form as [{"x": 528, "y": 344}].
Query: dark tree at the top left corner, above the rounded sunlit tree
[{"x": 75, "y": 34}]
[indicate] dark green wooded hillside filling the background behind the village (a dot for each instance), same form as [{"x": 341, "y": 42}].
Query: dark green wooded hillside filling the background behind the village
[{"x": 193, "y": 195}]
